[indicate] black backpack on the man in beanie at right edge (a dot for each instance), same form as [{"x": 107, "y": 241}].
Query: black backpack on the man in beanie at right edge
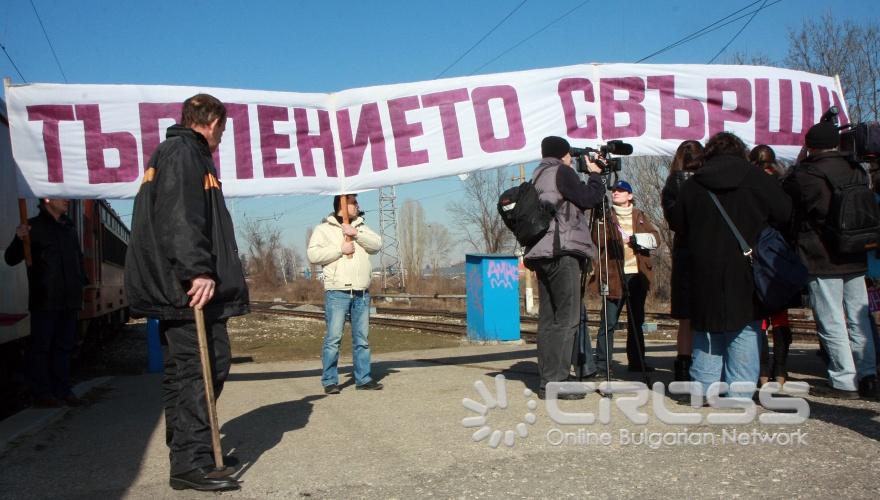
[{"x": 853, "y": 221}]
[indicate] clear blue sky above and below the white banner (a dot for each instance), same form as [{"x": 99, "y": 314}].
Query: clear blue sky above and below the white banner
[{"x": 327, "y": 46}]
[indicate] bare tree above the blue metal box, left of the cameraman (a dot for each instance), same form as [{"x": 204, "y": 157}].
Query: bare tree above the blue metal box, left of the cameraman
[{"x": 477, "y": 214}]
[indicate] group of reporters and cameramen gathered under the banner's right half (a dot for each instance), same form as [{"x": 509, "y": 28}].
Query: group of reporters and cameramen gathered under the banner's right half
[{"x": 712, "y": 192}]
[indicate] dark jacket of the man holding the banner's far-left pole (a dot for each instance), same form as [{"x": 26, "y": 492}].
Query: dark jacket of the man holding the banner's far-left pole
[{"x": 55, "y": 277}]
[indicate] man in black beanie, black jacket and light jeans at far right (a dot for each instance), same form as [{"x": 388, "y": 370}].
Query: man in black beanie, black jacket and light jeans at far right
[{"x": 837, "y": 280}]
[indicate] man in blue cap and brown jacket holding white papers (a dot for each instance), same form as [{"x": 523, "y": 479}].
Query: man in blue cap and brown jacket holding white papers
[{"x": 629, "y": 276}]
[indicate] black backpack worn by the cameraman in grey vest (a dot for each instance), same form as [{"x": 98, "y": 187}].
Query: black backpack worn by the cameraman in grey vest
[{"x": 524, "y": 214}]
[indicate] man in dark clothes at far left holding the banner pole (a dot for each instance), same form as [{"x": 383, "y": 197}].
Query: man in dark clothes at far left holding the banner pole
[{"x": 55, "y": 294}]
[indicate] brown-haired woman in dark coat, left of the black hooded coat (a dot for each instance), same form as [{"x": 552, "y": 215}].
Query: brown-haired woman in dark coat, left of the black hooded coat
[{"x": 688, "y": 158}]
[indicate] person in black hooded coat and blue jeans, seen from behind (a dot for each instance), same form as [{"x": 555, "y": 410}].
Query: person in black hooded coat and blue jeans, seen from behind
[{"x": 724, "y": 312}]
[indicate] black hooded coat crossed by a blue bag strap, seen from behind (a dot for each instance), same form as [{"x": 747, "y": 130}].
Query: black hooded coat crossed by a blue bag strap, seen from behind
[{"x": 722, "y": 297}]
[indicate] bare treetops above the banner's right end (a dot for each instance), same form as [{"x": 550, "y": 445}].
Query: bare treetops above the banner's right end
[{"x": 844, "y": 48}]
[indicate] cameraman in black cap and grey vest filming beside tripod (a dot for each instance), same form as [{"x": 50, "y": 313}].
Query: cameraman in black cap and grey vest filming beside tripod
[{"x": 559, "y": 258}]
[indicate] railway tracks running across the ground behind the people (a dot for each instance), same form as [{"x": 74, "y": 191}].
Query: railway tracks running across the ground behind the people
[{"x": 803, "y": 329}]
